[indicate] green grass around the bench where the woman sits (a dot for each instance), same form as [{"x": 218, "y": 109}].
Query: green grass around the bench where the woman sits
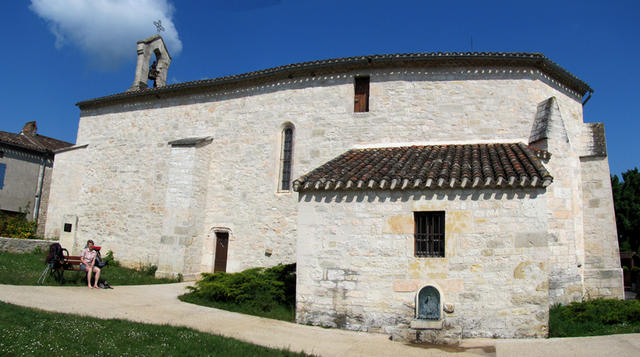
[{"x": 25, "y": 269}]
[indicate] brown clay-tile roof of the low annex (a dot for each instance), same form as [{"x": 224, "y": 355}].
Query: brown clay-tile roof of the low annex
[{"x": 509, "y": 165}]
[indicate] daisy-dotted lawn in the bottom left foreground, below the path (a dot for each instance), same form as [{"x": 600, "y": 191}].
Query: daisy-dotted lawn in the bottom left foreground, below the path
[{"x": 30, "y": 332}]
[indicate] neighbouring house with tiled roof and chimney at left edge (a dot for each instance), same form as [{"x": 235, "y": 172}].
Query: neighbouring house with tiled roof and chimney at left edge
[{"x": 26, "y": 160}]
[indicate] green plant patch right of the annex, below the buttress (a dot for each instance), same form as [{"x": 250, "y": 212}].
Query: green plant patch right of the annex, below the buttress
[{"x": 594, "y": 318}]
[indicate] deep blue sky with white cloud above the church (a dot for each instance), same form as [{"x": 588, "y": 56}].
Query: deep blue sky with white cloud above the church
[{"x": 54, "y": 55}]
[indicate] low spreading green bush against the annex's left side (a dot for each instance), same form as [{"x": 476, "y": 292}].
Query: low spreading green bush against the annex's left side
[{"x": 258, "y": 288}]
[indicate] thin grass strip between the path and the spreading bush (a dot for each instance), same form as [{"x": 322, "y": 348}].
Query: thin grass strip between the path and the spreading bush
[{"x": 278, "y": 312}]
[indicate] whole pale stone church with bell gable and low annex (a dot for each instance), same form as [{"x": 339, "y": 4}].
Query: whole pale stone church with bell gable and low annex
[{"x": 429, "y": 196}]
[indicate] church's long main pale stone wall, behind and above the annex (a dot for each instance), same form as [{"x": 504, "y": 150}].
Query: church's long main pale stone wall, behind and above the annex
[{"x": 122, "y": 203}]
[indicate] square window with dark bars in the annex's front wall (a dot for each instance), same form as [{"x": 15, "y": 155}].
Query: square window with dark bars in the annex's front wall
[{"x": 429, "y": 234}]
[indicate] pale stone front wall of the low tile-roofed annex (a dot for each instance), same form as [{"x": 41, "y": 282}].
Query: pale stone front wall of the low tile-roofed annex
[{"x": 357, "y": 268}]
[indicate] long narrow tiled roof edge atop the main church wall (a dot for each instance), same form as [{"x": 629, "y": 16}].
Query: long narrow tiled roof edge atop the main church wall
[{"x": 427, "y": 59}]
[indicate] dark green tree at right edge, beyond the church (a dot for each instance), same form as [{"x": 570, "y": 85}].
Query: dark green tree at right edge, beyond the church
[{"x": 626, "y": 200}]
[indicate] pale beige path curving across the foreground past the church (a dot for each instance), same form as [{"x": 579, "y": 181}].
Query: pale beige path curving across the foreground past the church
[{"x": 158, "y": 304}]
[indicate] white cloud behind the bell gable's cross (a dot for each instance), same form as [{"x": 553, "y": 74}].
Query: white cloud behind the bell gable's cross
[{"x": 107, "y": 30}]
